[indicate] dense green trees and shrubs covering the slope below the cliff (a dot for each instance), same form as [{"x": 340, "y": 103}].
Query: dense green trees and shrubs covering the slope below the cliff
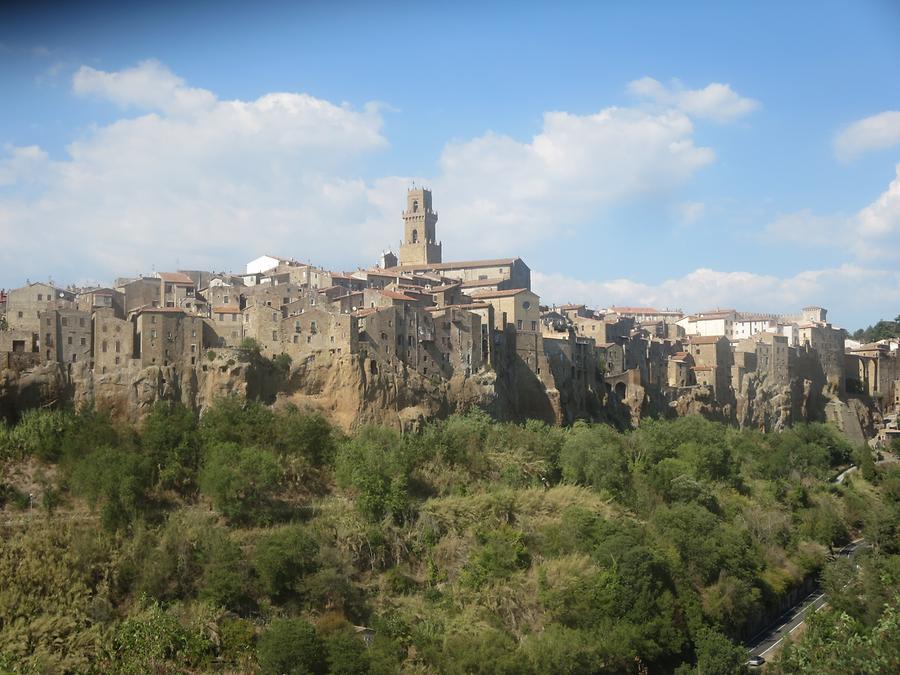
[{"x": 255, "y": 540}]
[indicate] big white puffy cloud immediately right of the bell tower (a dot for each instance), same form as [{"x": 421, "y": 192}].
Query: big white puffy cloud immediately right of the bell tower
[{"x": 495, "y": 190}]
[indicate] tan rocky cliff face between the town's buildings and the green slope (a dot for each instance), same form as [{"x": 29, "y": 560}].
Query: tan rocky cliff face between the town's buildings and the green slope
[{"x": 353, "y": 391}]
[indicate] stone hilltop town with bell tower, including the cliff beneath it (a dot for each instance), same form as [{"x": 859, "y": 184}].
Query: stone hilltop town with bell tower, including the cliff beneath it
[{"x": 416, "y": 336}]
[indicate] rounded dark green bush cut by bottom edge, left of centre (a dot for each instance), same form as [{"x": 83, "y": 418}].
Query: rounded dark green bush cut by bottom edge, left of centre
[{"x": 289, "y": 647}]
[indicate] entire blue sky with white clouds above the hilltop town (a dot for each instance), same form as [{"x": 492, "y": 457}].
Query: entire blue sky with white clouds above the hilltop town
[{"x": 673, "y": 154}]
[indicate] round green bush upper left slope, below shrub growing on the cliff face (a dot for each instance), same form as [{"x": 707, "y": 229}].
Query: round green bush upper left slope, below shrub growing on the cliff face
[{"x": 240, "y": 481}]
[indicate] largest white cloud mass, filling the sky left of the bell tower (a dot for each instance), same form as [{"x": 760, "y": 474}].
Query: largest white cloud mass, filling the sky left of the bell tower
[{"x": 198, "y": 180}]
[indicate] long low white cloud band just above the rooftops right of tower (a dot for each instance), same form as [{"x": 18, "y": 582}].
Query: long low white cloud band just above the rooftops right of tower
[{"x": 851, "y": 292}]
